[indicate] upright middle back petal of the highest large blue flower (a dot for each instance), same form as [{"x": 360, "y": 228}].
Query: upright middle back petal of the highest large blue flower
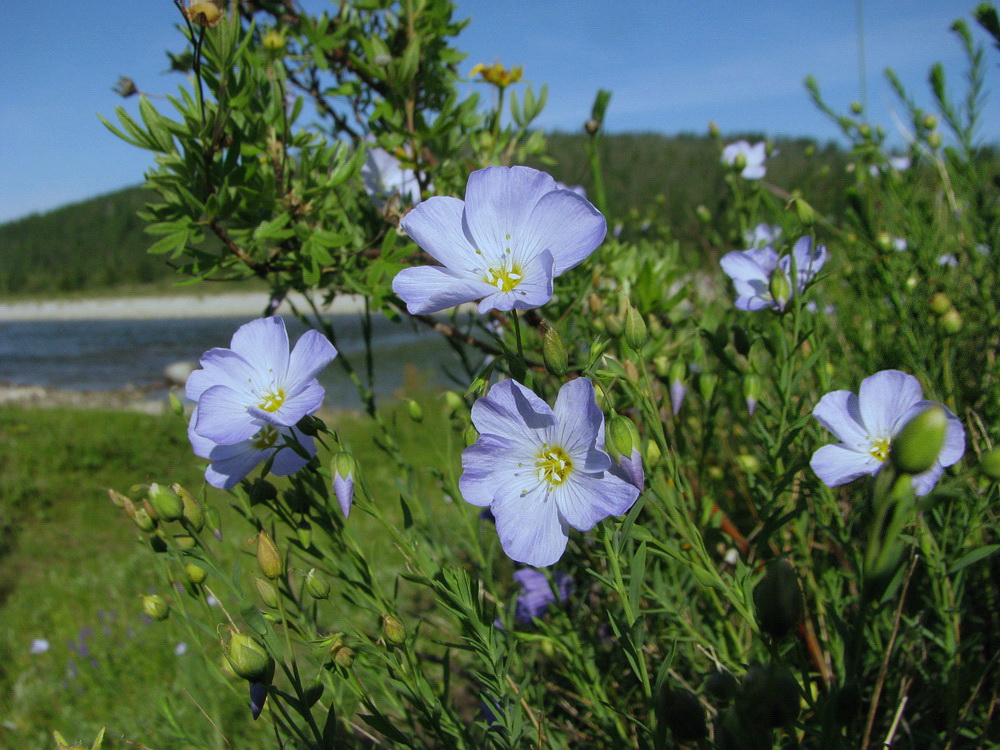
[{"x": 498, "y": 203}]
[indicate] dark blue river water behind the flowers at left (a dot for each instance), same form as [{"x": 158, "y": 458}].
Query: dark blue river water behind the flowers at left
[{"x": 112, "y": 354}]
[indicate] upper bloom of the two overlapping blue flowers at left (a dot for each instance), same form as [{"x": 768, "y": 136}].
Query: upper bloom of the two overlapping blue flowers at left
[{"x": 256, "y": 382}]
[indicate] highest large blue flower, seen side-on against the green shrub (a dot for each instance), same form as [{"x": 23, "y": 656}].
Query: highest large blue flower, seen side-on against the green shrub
[{"x": 514, "y": 232}]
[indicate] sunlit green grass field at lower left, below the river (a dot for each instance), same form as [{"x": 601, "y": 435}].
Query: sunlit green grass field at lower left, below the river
[{"x": 72, "y": 572}]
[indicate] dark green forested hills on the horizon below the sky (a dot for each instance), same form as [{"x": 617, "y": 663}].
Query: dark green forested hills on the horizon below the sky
[{"x": 100, "y": 244}]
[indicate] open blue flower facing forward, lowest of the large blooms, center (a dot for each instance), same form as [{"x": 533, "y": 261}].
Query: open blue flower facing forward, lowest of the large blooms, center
[{"x": 541, "y": 470}]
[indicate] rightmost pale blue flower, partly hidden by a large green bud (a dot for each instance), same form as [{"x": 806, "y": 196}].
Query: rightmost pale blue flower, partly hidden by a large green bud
[{"x": 867, "y": 422}]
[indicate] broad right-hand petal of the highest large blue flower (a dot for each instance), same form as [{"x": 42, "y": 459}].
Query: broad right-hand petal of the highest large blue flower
[{"x": 566, "y": 225}]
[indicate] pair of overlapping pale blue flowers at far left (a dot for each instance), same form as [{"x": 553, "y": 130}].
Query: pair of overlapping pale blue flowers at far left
[{"x": 251, "y": 396}]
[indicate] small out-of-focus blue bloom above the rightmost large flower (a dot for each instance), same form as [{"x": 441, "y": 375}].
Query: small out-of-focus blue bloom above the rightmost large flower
[{"x": 752, "y": 272}]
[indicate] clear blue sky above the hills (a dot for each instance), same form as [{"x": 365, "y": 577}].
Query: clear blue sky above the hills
[{"x": 672, "y": 66}]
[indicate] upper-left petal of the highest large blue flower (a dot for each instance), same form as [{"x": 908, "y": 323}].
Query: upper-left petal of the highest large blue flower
[{"x": 436, "y": 226}]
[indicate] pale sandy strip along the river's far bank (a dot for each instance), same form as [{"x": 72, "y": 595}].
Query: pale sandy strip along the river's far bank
[{"x": 238, "y": 304}]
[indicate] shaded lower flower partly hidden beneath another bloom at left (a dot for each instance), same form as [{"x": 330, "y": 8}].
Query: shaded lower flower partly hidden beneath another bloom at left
[{"x": 230, "y": 463}]
